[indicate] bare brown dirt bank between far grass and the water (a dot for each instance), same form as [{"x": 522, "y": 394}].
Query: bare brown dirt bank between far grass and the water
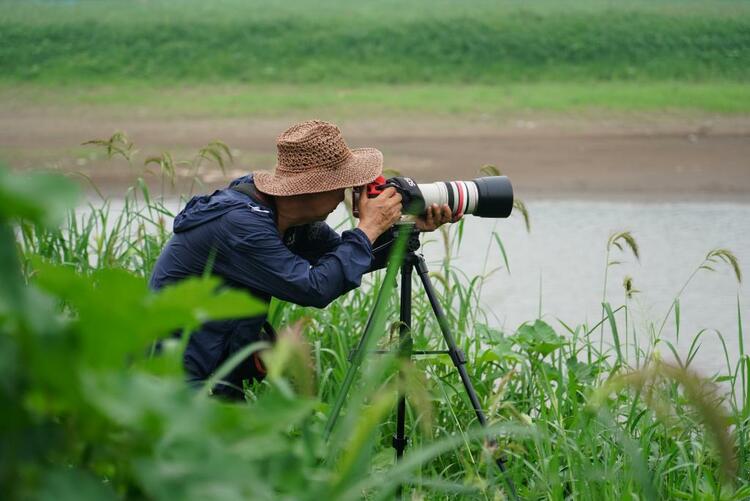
[{"x": 647, "y": 158}]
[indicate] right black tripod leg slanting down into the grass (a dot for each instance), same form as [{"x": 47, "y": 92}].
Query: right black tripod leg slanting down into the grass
[{"x": 459, "y": 360}]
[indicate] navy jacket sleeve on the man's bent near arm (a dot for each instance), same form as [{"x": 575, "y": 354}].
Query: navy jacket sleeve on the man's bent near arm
[{"x": 255, "y": 256}]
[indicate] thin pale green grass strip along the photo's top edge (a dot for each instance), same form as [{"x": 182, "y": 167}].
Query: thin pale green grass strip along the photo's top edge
[{"x": 222, "y": 11}]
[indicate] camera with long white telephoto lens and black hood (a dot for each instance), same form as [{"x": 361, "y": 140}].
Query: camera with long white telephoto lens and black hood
[{"x": 490, "y": 196}]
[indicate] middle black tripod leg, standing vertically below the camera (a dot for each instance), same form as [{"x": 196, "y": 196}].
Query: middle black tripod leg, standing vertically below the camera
[{"x": 404, "y": 335}]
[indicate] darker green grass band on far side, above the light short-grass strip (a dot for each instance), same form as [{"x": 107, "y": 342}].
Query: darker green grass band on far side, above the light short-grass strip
[{"x": 383, "y": 42}]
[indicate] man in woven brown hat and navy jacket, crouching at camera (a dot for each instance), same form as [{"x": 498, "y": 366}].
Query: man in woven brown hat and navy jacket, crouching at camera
[{"x": 265, "y": 234}]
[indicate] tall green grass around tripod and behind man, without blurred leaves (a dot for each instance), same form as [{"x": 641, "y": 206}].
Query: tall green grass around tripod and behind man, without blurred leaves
[{"x": 577, "y": 417}]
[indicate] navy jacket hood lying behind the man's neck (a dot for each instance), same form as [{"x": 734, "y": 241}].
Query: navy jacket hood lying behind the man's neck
[{"x": 204, "y": 208}]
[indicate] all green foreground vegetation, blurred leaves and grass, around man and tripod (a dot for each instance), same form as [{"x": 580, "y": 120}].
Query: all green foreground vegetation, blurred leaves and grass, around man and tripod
[{"x": 581, "y": 411}]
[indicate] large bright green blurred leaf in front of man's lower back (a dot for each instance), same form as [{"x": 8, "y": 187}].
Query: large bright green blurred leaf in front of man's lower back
[{"x": 117, "y": 316}]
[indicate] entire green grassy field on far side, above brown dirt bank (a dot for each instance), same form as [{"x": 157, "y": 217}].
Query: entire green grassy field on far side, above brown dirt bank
[{"x": 236, "y": 58}]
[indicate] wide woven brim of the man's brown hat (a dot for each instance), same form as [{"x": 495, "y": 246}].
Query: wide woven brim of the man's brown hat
[{"x": 363, "y": 167}]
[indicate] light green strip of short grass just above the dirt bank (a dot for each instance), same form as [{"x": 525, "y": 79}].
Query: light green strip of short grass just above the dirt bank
[{"x": 236, "y": 100}]
